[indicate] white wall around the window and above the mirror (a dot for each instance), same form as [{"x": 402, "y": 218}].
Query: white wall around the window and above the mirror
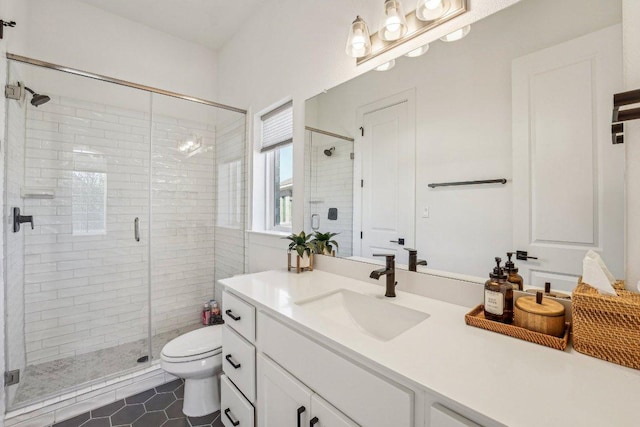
[{"x": 293, "y": 48}]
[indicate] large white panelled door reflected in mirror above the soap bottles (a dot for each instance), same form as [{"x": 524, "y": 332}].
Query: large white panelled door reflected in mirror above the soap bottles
[{"x": 568, "y": 178}]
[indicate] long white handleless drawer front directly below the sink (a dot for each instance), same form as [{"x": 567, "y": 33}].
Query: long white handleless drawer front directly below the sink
[{"x": 362, "y": 395}]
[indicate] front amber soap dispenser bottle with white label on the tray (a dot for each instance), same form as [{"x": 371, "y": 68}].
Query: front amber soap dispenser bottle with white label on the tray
[{"x": 498, "y": 296}]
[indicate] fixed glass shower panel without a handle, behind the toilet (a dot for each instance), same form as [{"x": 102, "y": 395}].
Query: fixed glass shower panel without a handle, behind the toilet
[{"x": 197, "y": 168}]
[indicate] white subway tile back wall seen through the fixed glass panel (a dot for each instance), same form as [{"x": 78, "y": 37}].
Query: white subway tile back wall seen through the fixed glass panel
[{"x": 182, "y": 231}]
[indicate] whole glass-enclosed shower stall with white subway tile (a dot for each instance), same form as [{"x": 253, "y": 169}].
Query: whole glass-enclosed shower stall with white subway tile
[{"x": 137, "y": 200}]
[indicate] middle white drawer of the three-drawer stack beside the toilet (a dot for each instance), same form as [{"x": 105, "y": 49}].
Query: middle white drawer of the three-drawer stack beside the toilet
[{"x": 239, "y": 362}]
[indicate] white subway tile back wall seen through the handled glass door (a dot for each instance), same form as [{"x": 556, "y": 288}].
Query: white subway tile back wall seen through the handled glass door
[{"x": 85, "y": 275}]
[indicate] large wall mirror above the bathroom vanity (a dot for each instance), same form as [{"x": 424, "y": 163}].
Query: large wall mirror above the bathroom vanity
[{"x": 525, "y": 101}]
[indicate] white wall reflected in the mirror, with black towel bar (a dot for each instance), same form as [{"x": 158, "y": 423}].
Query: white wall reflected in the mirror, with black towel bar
[{"x": 463, "y": 126}]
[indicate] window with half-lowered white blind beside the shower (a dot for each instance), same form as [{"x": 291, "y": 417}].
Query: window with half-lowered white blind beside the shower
[{"x": 277, "y": 150}]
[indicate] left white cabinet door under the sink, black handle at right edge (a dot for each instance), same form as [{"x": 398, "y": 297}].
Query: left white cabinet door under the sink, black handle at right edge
[{"x": 283, "y": 401}]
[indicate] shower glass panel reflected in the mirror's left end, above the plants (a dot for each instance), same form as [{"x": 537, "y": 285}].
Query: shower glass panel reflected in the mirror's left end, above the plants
[{"x": 329, "y": 188}]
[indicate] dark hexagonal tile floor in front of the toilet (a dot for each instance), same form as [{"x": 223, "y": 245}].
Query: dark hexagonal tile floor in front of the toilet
[{"x": 158, "y": 407}]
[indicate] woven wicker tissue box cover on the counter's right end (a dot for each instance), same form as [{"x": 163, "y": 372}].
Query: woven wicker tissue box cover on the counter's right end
[{"x": 606, "y": 326}]
